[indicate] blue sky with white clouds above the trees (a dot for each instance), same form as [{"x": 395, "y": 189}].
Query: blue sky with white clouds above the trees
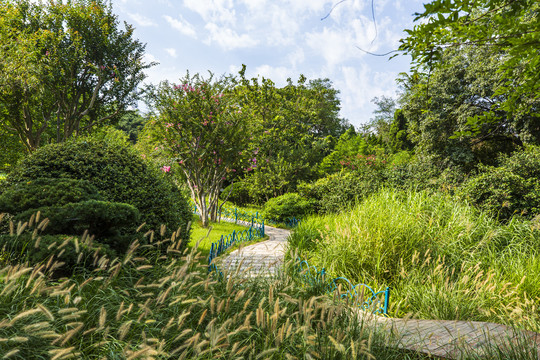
[{"x": 278, "y": 39}]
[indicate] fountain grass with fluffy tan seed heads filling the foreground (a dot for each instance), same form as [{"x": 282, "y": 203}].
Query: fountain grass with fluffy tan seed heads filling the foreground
[{"x": 153, "y": 303}]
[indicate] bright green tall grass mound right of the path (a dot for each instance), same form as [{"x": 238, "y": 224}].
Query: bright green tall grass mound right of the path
[{"x": 443, "y": 258}]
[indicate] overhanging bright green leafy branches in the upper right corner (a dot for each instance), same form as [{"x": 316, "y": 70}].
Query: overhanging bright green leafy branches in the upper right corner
[{"x": 508, "y": 27}]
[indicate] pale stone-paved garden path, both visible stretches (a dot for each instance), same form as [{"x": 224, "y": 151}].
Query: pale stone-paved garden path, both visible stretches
[{"x": 439, "y": 338}]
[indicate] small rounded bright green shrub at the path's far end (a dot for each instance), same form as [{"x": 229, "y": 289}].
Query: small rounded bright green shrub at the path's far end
[{"x": 287, "y": 206}]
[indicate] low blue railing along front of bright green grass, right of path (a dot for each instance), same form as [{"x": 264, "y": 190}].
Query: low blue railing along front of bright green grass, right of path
[{"x": 360, "y": 295}]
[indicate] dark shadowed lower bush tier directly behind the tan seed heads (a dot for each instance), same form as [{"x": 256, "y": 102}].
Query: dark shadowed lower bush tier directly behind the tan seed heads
[{"x": 103, "y": 219}]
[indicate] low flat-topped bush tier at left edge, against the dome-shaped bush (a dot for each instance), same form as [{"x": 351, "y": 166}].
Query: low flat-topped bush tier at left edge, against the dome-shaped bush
[{"x": 46, "y": 192}]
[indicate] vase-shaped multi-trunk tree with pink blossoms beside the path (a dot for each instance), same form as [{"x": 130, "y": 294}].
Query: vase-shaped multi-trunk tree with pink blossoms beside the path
[{"x": 200, "y": 128}]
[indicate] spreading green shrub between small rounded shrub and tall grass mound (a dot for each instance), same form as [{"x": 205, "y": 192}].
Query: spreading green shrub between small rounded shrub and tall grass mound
[{"x": 340, "y": 191}]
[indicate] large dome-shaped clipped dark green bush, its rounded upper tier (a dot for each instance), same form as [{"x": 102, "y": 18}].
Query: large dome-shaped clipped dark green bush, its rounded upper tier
[{"x": 119, "y": 174}]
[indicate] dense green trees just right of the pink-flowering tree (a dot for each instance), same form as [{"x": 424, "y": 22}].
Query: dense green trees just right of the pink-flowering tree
[{"x": 291, "y": 128}]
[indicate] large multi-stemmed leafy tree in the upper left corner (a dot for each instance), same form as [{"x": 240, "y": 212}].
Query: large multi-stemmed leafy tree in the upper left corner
[{"x": 65, "y": 68}]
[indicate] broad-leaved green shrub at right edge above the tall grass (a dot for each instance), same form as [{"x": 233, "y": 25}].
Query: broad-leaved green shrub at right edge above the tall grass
[{"x": 511, "y": 189}]
